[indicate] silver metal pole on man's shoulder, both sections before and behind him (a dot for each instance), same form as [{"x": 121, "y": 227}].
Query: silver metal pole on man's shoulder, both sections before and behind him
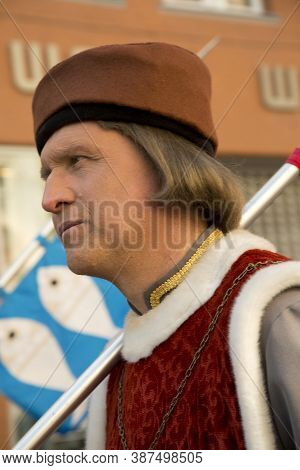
[{"x": 100, "y": 368}]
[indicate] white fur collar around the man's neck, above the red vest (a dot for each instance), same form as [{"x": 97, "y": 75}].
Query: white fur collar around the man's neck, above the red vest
[{"x": 143, "y": 333}]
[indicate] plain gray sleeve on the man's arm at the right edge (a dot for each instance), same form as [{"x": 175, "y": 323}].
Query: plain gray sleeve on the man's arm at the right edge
[{"x": 280, "y": 343}]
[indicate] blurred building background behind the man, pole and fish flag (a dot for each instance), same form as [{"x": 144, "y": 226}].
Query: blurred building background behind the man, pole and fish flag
[{"x": 255, "y": 68}]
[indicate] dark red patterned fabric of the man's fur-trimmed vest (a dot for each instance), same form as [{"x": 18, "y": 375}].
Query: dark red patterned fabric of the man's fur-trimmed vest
[{"x": 207, "y": 413}]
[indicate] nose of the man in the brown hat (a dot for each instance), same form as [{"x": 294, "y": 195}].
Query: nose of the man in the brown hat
[{"x": 57, "y": 192}]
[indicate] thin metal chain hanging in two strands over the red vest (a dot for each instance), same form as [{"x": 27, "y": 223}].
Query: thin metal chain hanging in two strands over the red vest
[{"x": 204, "y": 340}]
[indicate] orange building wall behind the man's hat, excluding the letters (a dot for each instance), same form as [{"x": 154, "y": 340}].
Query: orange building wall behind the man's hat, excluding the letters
[{"x": 244, "y": 124}]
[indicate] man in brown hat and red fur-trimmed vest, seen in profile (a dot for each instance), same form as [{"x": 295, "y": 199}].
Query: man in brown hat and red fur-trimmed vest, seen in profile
[{"x": 128, "y": 152}]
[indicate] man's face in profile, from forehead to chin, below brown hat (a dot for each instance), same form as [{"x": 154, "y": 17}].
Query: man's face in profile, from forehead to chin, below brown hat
[{"x": 96, "y": 178}]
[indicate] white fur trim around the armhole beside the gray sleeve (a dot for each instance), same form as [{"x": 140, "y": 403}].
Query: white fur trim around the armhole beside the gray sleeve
[{"x": 244, "y": 336}]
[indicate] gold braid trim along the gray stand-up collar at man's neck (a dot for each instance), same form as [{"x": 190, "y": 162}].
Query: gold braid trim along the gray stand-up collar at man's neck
[{"x": 174, "y": 280}]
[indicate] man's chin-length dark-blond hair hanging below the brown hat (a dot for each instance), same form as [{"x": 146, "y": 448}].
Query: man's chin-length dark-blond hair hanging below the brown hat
[{"x": 187, "y": 173}]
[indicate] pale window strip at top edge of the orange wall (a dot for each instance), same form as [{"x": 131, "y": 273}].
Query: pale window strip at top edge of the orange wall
[{"x": 245, "y": 7}]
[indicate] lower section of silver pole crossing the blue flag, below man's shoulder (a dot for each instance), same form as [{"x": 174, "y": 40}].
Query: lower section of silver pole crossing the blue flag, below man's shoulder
[{"x": 75, "y": 395}]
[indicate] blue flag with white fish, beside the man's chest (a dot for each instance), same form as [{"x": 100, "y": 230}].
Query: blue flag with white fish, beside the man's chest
[{"x": 52, "y": 327}]
